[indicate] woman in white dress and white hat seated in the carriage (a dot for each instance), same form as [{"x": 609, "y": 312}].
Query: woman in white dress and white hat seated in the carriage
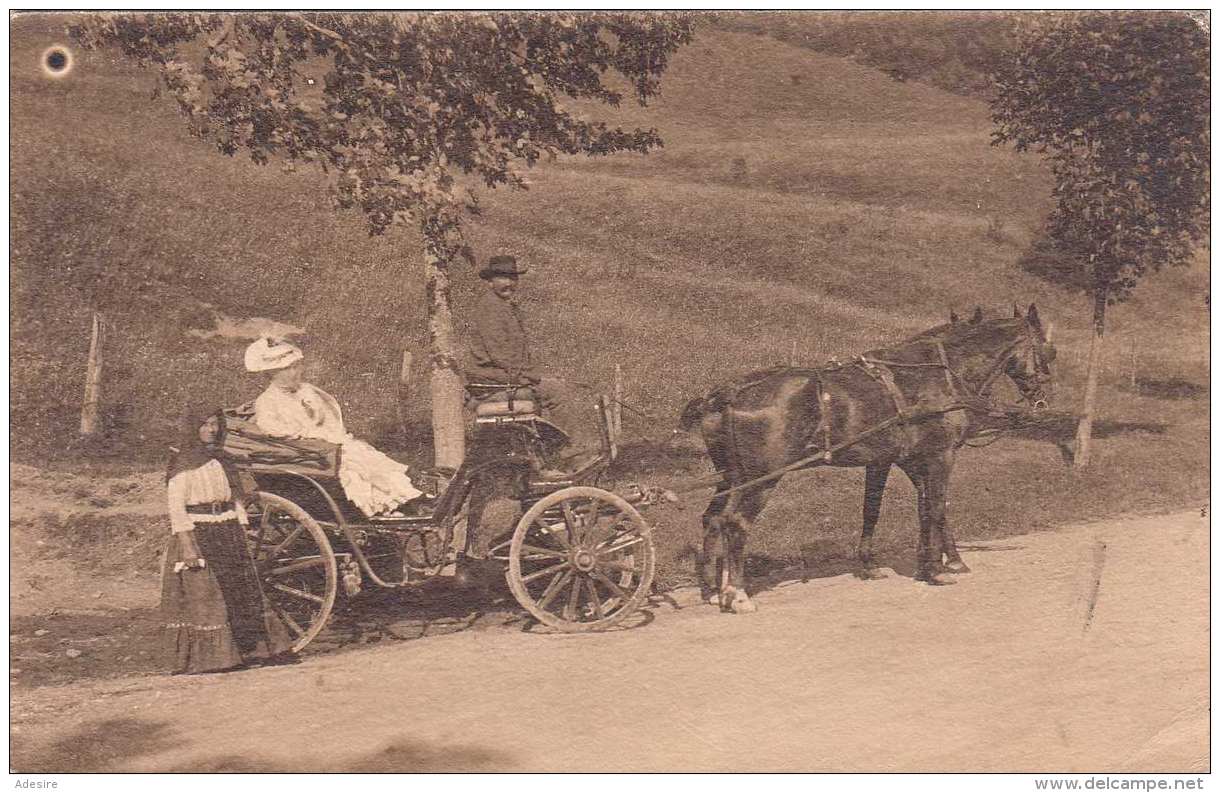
[{"x": 291, "y": 408}]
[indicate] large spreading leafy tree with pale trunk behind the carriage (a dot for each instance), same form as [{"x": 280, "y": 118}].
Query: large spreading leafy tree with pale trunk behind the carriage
[{"x": 398, "y": 108}]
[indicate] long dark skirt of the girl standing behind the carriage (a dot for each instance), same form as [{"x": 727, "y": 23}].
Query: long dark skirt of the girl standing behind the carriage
[{"x": 218, "y": 617}]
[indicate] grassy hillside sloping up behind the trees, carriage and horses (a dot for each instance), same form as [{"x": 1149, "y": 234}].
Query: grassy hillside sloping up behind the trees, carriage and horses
[{"x": 805, "y": 207}]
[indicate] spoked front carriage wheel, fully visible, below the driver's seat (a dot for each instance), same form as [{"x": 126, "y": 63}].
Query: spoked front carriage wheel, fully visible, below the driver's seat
[{"x": 583, "y": 559}]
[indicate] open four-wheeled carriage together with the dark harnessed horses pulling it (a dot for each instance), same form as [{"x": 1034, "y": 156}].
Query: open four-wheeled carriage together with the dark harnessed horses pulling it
[{"x": 581, "y": 557}]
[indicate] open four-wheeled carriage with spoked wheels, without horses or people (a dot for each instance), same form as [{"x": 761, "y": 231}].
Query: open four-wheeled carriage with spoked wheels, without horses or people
[{"x": 580, "y": 557}]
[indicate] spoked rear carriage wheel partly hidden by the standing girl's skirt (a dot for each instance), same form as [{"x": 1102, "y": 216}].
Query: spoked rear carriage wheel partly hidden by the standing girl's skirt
[{"x": 296, "y": 565}]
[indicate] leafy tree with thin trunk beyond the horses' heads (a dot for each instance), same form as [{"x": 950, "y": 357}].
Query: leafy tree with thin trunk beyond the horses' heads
[{"x": 1119, "y": 104}]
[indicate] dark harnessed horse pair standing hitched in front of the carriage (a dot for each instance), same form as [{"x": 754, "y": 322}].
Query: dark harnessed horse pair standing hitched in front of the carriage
[{"x": 912, "y": 406}]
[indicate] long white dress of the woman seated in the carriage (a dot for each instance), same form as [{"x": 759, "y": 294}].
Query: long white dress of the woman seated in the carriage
[{"x": 371, "y": 481}]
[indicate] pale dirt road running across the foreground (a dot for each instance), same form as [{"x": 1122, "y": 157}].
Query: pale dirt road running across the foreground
[{"x": 1079, "y": 650}]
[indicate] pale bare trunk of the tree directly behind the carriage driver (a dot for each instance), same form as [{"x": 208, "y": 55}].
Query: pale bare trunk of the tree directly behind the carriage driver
[{"x": 448, "y": 424}]
